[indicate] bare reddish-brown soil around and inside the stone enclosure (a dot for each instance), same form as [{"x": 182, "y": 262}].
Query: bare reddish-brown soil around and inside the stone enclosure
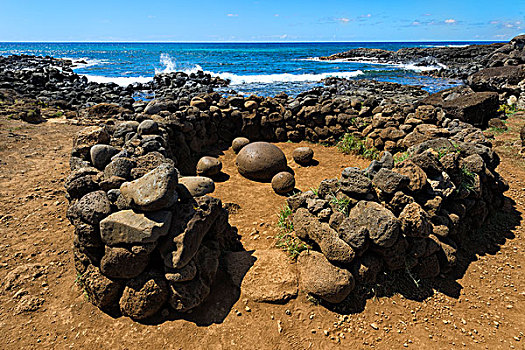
[{"x": 41, "y": 307}]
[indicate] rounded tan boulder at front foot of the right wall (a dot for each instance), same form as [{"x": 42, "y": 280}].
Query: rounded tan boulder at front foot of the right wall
[{"x": 317, "y": 276}]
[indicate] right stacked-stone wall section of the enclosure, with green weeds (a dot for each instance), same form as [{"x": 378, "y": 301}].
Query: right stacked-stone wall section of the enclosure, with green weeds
[{"x": 412, "y": 214}]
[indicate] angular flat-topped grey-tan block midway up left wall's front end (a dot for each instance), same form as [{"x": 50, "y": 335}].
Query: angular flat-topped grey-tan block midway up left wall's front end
[{"x": 128, "y": 227}]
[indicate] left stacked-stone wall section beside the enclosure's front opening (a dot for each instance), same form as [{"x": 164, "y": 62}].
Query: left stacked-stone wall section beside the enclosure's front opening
[{"x": 142, "y": 241}]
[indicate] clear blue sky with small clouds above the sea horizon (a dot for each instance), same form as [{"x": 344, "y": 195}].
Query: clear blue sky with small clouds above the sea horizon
[{"x": 261, "y": 20}]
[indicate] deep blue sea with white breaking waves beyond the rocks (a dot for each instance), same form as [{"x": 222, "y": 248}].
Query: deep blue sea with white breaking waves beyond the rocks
[{"x": 259, "y": 68}]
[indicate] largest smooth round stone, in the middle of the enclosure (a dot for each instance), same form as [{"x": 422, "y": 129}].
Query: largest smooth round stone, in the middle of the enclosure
[{"x": 260, "y": 161}]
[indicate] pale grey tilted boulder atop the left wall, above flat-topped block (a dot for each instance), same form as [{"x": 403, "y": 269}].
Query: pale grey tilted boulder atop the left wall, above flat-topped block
[{"x": 154, "y": 191}]
